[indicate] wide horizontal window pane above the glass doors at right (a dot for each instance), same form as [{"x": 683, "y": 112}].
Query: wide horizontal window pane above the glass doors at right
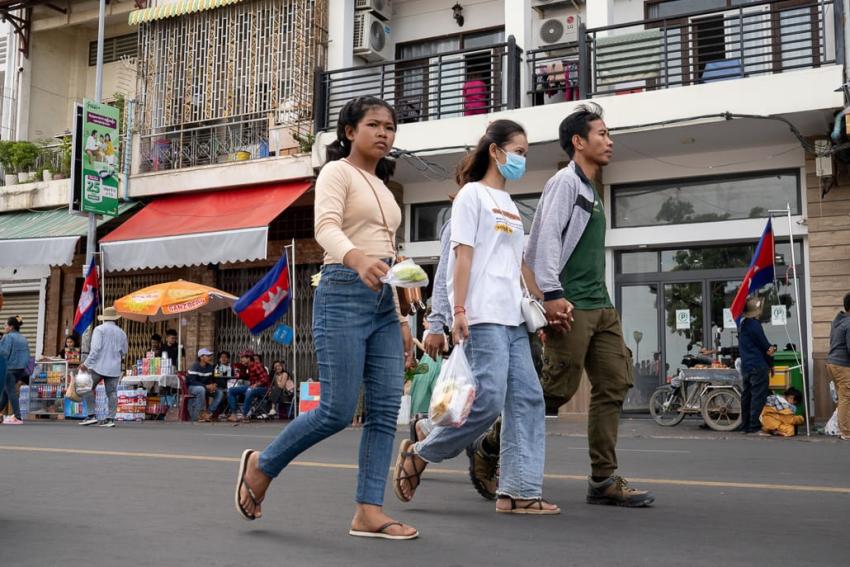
[{"x": 686, "y": 201}]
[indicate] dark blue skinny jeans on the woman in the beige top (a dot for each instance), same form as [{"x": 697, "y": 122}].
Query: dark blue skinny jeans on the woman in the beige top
[{"x": 358, "y": 341}]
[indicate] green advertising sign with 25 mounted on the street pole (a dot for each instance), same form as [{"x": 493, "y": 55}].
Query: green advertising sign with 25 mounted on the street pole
[{"x": 100, "y": 159}]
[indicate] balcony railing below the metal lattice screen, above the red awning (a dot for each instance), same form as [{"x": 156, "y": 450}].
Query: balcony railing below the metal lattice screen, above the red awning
[{"x": 205, "y": 145}]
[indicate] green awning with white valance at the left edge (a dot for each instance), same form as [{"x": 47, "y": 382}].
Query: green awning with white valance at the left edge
[{"x": 43, "y": 238}]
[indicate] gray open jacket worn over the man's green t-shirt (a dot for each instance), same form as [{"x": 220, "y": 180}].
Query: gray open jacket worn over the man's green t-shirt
[{"x": 559, "y": 222}]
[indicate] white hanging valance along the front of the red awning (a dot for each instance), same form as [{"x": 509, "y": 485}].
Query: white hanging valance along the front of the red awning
[{"x": 197, "y": 249}]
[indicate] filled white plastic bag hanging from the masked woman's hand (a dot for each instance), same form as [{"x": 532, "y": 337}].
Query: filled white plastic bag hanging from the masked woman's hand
[{"x": 454, "y": 391}]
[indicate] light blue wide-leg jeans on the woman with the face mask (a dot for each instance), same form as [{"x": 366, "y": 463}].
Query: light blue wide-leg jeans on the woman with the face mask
[{"x": 500, "y": 357}]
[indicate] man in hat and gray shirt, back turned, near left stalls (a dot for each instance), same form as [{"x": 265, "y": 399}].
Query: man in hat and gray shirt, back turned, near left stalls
[{"x": 108, "y": 348}]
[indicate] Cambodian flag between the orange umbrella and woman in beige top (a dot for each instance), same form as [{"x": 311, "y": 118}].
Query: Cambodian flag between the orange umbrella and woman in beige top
[{"x": 267, "y": 301}]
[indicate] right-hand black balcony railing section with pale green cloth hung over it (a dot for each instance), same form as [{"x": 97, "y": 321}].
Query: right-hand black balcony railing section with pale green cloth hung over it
[{"x": 713, "y": 45}]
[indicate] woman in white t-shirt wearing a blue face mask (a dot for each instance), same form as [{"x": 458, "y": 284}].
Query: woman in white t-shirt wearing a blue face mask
[{"x": 485, "y": 293}]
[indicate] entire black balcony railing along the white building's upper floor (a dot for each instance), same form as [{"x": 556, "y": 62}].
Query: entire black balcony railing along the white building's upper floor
[{"x": 756, "y": 38}]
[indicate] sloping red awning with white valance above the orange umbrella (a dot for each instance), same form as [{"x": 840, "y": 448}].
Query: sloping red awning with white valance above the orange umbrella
[{"x": 200, "y": 228}]
